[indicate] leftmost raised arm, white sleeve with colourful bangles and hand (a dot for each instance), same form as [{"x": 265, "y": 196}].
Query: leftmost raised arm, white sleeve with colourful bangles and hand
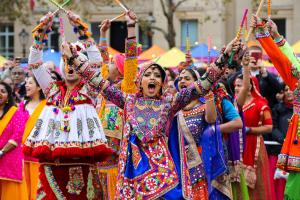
[{"x": 35, "y": 59}]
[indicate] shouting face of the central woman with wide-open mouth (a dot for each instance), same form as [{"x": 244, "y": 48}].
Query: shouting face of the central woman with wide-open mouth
[{"x": 152, "y": 81}]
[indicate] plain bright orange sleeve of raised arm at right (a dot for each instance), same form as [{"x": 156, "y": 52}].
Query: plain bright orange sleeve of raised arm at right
[{"x": 280, "y": 61}]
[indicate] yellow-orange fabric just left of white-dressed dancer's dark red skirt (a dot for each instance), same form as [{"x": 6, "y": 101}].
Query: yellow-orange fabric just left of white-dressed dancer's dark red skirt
[{"x": 31, "y": 170}]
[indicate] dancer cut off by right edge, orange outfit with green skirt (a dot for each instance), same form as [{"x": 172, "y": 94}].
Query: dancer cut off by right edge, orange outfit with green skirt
[{"x": 288, "y": 66}]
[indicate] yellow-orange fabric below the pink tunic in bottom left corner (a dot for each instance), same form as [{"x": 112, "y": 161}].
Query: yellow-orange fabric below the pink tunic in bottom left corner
[{"x": 13, "y": 190}]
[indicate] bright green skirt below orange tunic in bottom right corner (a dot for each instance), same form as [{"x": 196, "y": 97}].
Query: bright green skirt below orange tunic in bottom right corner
[{"x": 292, "y": 188}]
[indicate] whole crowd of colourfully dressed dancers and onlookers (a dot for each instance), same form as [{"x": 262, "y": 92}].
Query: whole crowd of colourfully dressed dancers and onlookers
[{"x": 109, "y": 128}]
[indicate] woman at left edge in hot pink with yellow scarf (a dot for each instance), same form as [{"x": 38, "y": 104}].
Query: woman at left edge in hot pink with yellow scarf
[{"x": 12, "y": 122}]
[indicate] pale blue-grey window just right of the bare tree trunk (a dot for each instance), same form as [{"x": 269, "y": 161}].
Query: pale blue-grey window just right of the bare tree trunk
[{"x": 192, "y": 27}]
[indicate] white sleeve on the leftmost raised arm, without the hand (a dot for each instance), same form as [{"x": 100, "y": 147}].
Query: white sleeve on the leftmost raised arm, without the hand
[{"x": 39, "y": 70}]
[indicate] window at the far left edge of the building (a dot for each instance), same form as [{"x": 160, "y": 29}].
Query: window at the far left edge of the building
[{"x": 7, "y": 40}]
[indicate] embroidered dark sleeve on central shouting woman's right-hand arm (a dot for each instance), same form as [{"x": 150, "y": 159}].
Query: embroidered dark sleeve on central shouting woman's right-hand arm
[{"x": 200, "y": 88}]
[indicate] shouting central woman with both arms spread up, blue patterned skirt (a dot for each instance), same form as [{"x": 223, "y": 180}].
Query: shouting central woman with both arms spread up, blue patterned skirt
[{"x": 146, "y": 167}]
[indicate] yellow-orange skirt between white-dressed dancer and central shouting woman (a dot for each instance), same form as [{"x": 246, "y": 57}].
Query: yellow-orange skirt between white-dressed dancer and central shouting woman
[{"x": 112, "y": 176}]
